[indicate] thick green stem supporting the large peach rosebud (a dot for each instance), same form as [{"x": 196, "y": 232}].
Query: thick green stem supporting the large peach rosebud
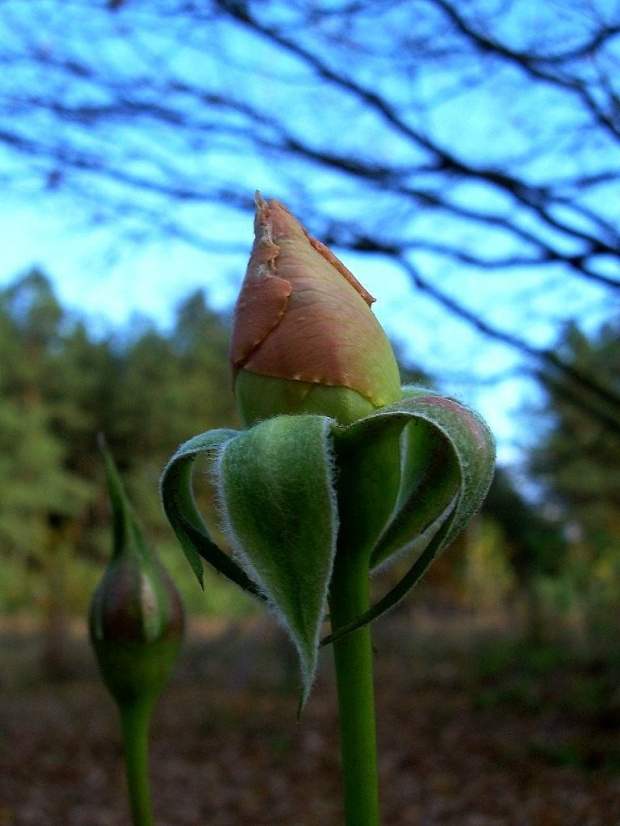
[{"x": 349, "y": 597}]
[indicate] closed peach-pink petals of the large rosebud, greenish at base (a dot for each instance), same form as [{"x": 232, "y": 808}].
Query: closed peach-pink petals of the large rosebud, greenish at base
[{"x": 304, "y": 337}]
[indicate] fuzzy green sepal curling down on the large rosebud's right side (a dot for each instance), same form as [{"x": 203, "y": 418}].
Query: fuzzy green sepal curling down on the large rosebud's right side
[{"x": 447, "y": 443}]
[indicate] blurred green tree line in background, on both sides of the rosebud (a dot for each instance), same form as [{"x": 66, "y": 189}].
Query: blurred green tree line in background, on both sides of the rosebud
[{"x": 149, "y": 390}]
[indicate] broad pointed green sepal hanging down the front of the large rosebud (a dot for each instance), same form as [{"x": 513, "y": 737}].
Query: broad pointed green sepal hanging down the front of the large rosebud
[{"x": 278, "y": 502}]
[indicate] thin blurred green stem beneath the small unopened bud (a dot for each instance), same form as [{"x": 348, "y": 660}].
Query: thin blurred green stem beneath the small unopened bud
[{"x": 135, "y": 722}]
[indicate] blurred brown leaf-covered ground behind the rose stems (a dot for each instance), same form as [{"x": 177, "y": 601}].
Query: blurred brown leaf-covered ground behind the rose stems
[{"x": 474, "y": 729}]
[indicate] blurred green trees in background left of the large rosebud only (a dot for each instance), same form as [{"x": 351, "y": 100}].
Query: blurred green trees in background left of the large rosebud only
[{"x": 145, "y": 390}]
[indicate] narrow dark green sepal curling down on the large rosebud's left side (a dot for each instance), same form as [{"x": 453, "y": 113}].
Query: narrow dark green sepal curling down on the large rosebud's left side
[{"x": 186, "y": 520}]
